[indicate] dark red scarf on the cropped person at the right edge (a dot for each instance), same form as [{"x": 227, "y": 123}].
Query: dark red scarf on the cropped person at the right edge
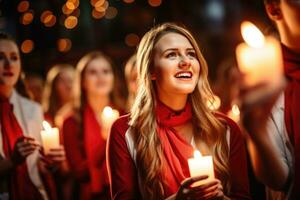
[{"x": 292, "y": 109}]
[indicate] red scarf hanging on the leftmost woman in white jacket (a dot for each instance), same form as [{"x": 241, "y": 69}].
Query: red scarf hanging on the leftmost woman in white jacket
[{"x": 20, "y": 184}]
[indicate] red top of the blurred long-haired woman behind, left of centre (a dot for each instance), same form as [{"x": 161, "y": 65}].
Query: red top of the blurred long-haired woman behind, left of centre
[{"x": 85, "y": 151}]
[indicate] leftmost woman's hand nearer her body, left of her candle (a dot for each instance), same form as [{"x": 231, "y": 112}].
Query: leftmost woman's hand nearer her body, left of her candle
[{"x": 24, "y": 146}]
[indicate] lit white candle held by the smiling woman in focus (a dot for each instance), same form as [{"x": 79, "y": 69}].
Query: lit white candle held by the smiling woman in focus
[{"x": 201, "y": 165}]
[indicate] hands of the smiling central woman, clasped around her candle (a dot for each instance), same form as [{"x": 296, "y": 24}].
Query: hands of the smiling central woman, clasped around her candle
[{"x": 210, "y": 190}]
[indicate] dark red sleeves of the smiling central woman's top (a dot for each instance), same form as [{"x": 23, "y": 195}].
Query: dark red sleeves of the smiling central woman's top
[{"x": 123, "y": 173}]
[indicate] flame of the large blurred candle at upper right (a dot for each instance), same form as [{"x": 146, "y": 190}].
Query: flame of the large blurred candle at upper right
[{"x": 252, "y": 35}]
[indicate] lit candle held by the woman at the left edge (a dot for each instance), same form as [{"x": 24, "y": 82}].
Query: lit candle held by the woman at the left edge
[{"x": 50, "y": 137}]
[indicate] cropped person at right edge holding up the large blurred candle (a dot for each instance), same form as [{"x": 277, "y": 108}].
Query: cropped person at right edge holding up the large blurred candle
[{"x": 274, "y": 125}]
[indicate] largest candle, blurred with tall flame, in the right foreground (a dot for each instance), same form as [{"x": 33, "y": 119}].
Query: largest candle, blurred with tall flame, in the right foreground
[{"x": 260, "y": 59}]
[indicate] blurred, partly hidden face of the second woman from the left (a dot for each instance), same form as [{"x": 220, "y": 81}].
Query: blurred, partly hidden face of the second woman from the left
[{"x": 63, "y": 85}]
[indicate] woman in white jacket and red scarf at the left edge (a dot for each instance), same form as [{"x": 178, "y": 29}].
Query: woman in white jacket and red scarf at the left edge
[{"x": 20, "y": 139}]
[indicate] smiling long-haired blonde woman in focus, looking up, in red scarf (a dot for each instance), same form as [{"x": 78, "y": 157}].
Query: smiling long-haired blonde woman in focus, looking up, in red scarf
[{"x": 149, "y": 148}]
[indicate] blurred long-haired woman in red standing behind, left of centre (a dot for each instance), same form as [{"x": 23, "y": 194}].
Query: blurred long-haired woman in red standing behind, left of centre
[{"x": 85, "y": 131}]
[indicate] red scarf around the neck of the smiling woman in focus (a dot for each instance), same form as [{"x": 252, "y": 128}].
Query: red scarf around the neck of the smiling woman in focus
[{"x": 176, "y": 150}]
